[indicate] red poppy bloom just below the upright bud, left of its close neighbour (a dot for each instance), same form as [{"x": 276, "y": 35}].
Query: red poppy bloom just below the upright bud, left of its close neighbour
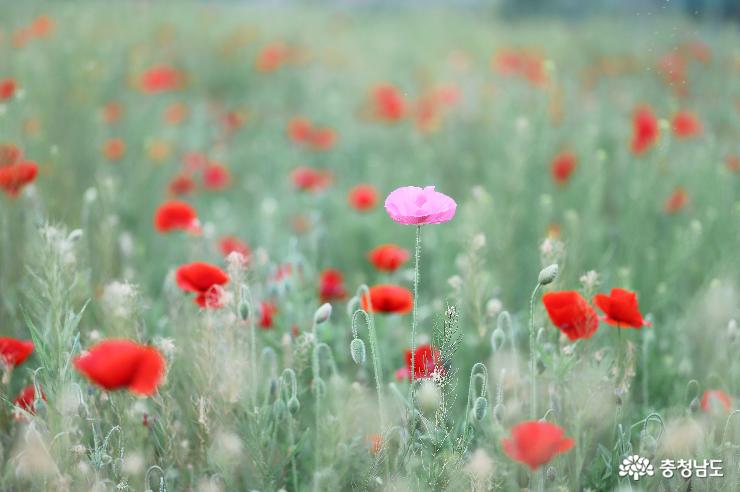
[{"x": 571, "y": 313}]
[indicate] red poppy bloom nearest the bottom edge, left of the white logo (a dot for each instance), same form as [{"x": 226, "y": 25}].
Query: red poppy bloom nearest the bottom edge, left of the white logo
[{"x": 535, "y": 443}]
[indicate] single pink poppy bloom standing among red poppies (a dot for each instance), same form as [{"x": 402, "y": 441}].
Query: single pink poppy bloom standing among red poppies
[{"x": 414, "y": 205}]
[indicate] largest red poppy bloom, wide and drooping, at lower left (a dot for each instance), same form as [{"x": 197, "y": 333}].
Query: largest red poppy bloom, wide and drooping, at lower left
[{"x": 117, "y": 364}]
